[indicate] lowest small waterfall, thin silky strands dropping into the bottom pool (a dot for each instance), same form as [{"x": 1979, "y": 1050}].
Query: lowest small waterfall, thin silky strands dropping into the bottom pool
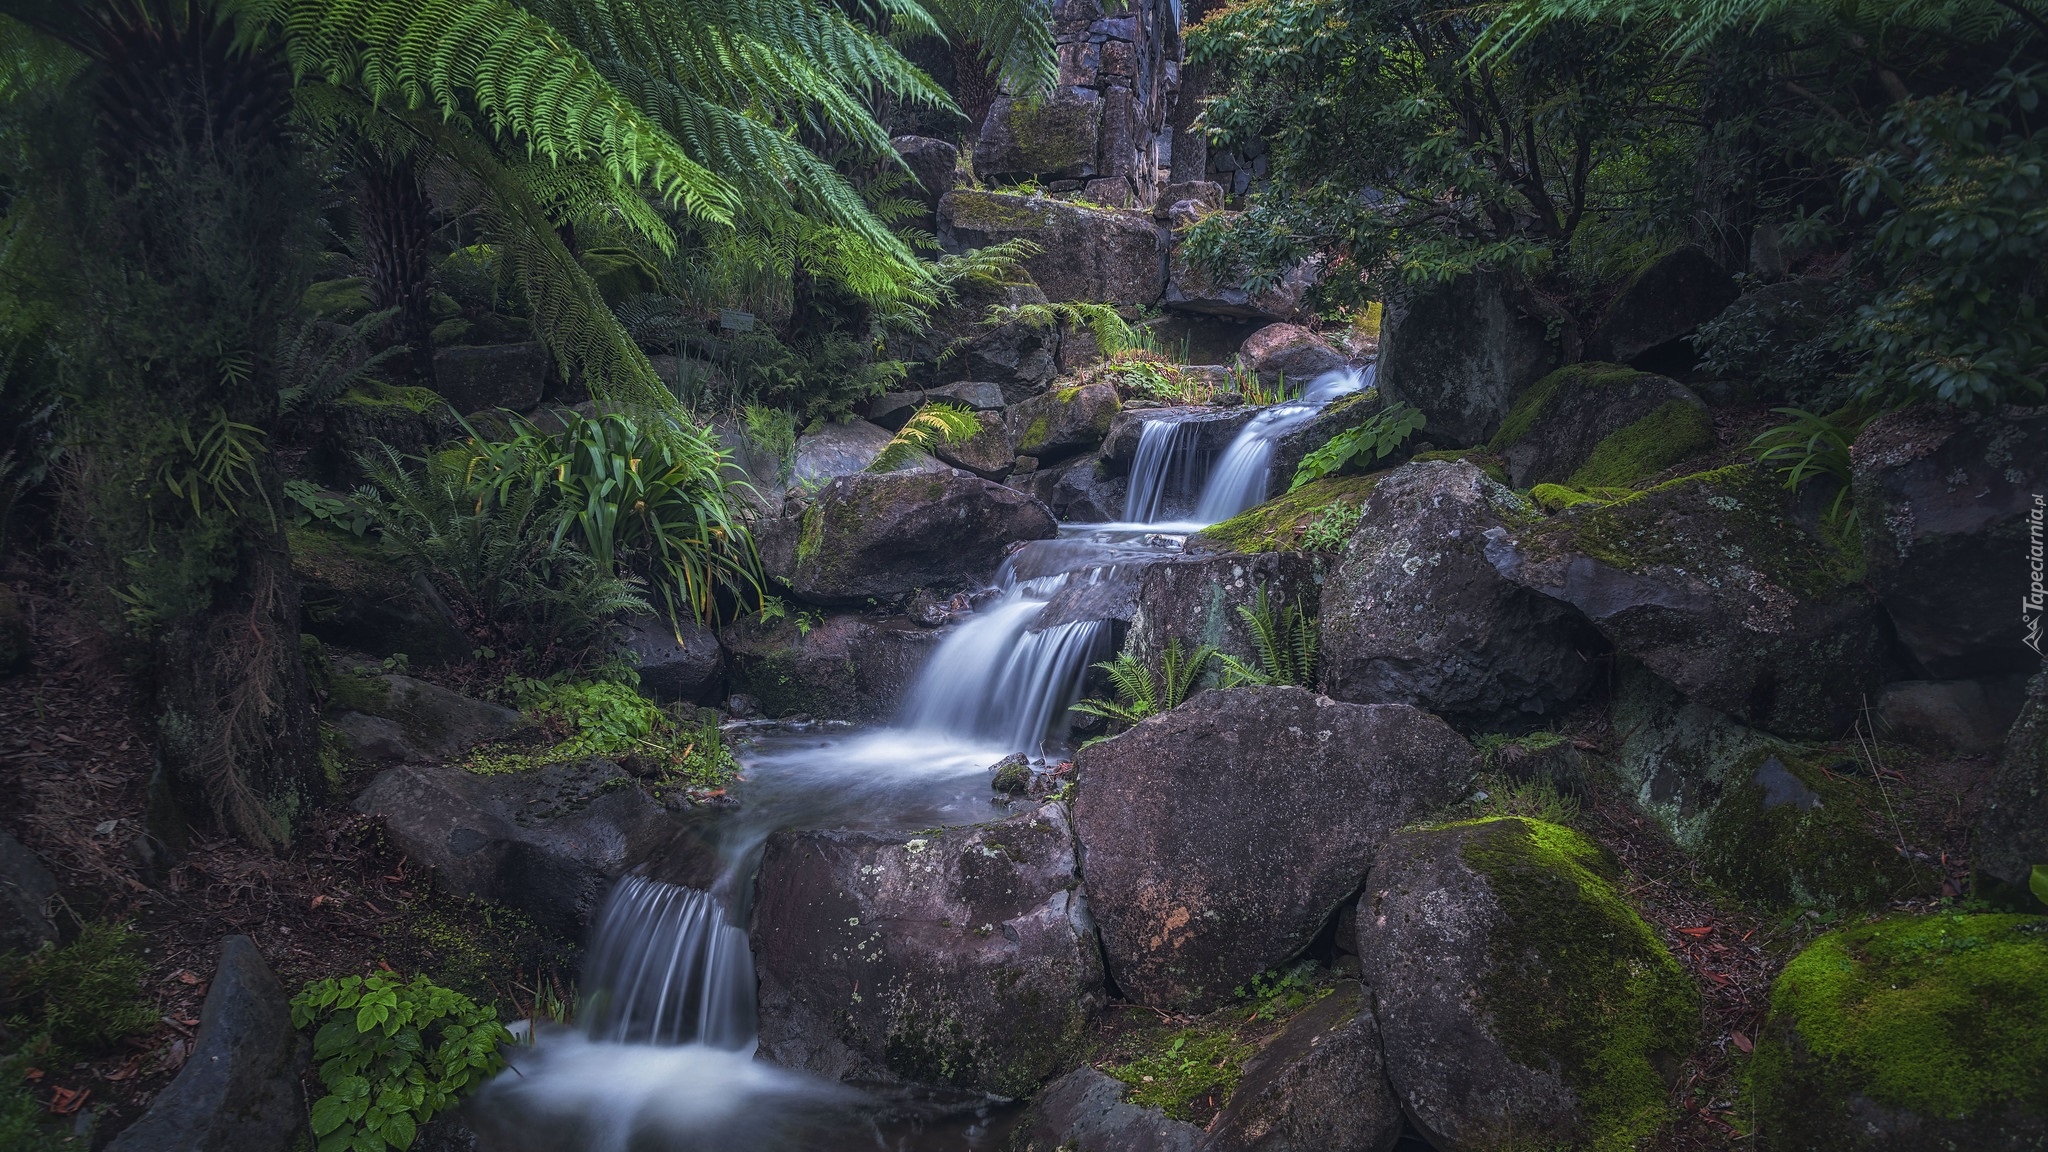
[{"x": 667, "y": 969}]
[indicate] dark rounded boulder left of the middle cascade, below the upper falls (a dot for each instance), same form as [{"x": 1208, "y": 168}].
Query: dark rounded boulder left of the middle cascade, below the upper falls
[{"x": 884, "y": 536}]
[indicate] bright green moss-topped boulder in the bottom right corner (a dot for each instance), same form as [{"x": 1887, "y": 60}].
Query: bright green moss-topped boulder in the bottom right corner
[{"x": 1914, "y": 1034}]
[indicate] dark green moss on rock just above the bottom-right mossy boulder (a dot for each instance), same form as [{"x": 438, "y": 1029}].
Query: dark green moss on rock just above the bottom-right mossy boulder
[{"x": 1785, "y": 831}]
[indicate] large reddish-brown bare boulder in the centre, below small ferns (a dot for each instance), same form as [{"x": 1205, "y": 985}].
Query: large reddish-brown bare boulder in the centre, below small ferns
[{"x": 1211, "y": 841}]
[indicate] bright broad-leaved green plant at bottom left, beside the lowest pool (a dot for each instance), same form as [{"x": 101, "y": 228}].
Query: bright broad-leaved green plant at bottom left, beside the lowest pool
[{"x": 392, "y": 1057}]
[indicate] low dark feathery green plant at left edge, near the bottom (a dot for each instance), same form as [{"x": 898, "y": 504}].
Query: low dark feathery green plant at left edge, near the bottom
[{"x": 85, "y": 997}]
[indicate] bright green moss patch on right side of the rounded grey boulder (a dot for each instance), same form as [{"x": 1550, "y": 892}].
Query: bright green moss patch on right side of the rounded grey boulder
[{"x": 1576, "y": 981}]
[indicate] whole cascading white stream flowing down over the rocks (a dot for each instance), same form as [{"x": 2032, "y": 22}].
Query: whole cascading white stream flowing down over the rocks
[{"x": 663, "y": 1059}]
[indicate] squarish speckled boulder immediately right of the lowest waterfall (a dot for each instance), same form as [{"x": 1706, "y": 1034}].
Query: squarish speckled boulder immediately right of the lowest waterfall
[{"x": 959, "y": 958}]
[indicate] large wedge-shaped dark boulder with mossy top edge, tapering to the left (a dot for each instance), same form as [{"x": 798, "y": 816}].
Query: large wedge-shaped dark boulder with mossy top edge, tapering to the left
[{"x": 1719, "y": 589}]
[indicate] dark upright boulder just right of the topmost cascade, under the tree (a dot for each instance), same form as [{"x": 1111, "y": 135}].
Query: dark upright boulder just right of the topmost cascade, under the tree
[{"x": 1461, "y": 354}]
